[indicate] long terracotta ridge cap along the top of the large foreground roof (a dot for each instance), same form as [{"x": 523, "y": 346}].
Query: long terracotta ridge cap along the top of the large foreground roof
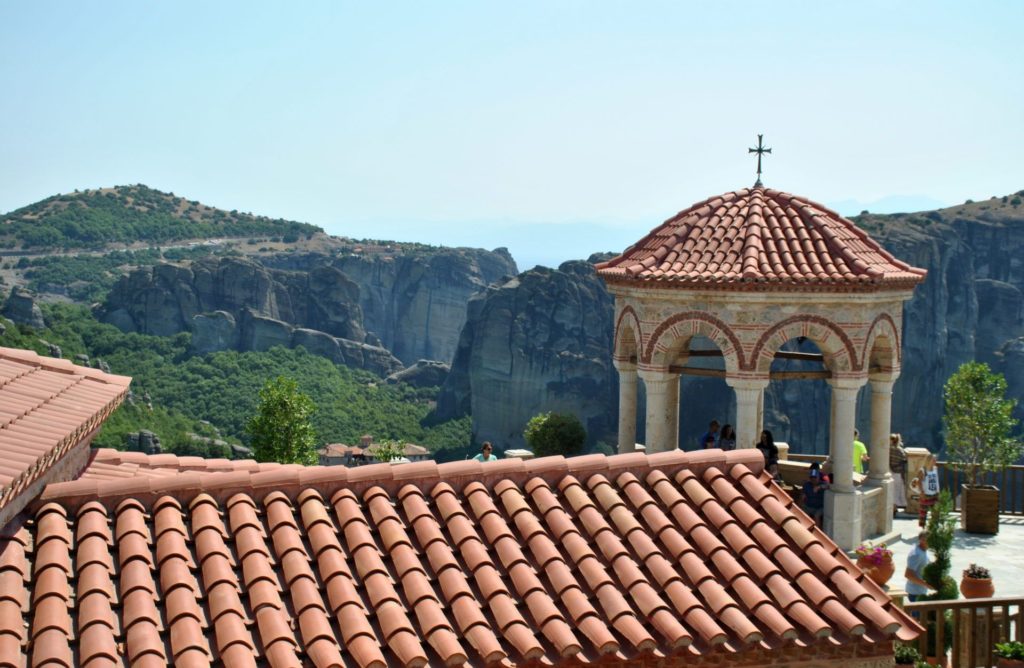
[{"x": 292, "y": 480}]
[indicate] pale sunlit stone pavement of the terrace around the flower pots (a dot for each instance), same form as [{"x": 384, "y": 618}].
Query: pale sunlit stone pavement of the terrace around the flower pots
[{"x": 1003, "y": 554}]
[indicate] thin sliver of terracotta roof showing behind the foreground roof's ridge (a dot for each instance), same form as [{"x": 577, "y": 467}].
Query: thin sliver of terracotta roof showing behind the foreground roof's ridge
[{"x": 108, "y": 465}]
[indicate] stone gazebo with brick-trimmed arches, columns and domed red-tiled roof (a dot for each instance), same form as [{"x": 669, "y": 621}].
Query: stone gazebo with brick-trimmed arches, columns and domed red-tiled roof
[{"x": 750, "y": 271}]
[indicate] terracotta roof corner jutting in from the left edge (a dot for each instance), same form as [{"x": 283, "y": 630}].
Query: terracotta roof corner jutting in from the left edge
[{"x": 48, "y": 407}]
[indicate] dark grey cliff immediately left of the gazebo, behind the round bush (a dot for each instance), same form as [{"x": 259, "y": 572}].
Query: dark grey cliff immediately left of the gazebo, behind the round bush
[{"x": 538, "y": 343}]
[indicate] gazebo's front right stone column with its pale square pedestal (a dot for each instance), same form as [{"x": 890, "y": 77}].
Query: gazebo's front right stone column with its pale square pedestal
[{"x": 843, "y": 503}]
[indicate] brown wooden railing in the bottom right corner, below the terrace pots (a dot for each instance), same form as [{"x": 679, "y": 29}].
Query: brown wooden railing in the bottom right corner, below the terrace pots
[{"x": 976, "y": 624}]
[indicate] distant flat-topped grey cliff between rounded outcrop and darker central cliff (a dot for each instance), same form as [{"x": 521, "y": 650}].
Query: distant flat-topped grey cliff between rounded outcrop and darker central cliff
[{"x": 414, "y": 302}]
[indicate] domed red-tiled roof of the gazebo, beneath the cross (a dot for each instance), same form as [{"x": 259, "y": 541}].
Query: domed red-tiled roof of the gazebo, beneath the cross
[{"x": 760, "y": 239}]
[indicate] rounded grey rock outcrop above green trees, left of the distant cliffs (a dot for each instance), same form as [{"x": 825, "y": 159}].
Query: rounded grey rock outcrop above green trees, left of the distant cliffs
[{"x": 240, "y": 305}]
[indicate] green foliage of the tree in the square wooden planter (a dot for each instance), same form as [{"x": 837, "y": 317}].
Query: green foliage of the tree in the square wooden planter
[{"x": 979, "y": 422}]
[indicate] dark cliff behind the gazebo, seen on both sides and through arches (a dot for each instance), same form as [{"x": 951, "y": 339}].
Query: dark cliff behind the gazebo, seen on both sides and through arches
[{"x": 509, "y": 366}]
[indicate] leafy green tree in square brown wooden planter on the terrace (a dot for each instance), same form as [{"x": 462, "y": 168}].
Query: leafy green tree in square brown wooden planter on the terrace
[{"x": 979, "y": 424}]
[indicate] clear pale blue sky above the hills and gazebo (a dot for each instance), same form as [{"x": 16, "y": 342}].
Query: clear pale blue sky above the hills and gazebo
[{"x": 557, "y": 129}]
